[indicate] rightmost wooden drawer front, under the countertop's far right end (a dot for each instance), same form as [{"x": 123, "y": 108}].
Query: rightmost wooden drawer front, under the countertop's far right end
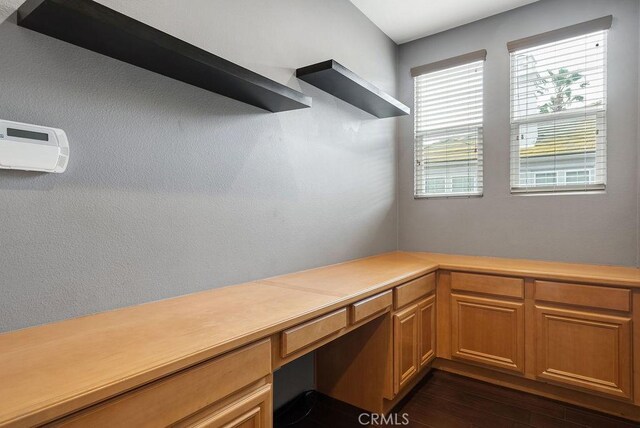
[{"x": 592, "y": 296}]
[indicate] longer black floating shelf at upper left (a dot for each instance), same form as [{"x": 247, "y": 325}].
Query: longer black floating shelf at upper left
[{"x": 93, "y": 26}]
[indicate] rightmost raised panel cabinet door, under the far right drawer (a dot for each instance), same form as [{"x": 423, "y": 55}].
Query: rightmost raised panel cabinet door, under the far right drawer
[{"x": 585, "y": 350}]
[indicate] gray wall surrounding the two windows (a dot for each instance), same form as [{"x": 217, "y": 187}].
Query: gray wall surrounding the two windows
[{"x": 591, "y": 228}]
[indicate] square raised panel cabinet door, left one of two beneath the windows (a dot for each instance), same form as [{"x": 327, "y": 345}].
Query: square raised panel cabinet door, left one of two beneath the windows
[{"x": 488, "y": 332}]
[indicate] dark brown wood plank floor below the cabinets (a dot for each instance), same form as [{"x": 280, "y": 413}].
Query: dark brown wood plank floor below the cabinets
[{"x": 445, "y": 400}]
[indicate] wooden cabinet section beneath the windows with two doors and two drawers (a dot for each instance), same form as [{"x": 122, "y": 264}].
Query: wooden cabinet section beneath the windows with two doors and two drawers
[{"x": 579, "y": 335}]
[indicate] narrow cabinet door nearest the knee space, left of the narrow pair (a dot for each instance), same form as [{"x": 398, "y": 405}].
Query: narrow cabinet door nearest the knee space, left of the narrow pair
[{"x": 405, "y": 347}]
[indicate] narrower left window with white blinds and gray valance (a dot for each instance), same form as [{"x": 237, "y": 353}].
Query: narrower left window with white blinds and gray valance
[{"x": 448, "y": 127}]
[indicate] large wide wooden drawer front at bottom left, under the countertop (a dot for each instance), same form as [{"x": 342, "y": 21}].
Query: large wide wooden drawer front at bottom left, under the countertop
[{"x": 169, "y": 400}]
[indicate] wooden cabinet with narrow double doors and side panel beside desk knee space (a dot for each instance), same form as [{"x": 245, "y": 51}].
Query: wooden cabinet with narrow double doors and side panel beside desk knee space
[{"x": 377, "y": 363}]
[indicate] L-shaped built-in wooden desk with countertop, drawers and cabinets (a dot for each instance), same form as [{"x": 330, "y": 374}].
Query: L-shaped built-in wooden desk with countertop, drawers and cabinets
[{"x": 99, "y": 361}]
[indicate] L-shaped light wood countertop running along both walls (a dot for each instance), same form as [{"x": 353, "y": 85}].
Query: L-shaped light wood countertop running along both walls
[{"x": 48, "y": 371}]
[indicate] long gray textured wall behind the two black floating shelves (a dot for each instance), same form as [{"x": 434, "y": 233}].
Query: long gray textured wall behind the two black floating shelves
[{"x": 172, "y": 189}]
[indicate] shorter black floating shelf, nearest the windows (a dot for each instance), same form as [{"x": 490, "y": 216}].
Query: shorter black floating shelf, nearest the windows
[{"x": 342, "y": 83}]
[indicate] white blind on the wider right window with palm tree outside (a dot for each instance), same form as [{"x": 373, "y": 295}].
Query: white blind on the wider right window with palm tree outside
[{"x": 558, "y": 113}]
